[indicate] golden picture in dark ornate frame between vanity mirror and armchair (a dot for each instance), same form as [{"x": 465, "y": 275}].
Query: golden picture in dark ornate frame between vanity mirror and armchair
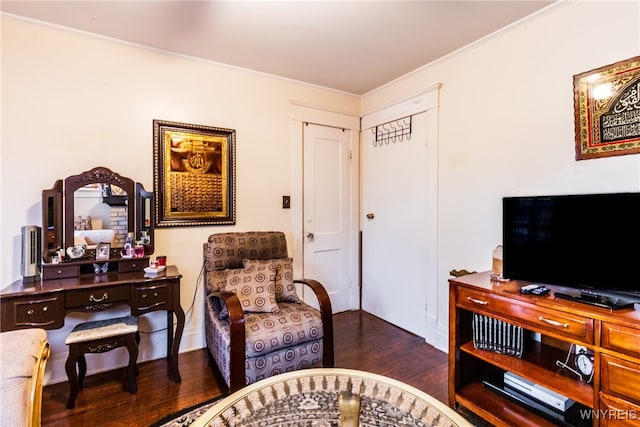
[{"x": 194, "y": 174}]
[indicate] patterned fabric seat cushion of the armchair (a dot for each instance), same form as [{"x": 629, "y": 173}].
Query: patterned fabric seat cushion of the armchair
[{"x": 297, "y": 323}]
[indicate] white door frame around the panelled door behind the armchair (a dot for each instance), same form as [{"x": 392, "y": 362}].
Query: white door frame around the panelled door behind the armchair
[{"x": 301, "y": 114}]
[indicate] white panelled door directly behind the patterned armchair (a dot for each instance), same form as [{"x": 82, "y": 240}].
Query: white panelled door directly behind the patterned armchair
[{"x": 326, "y": 207}]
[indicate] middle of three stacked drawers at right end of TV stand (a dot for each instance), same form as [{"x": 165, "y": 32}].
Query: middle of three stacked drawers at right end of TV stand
[{"x": 620, "y": 377}]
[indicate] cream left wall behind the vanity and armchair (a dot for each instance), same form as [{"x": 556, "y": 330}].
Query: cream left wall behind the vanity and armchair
[{"x": 72, "y": 101}]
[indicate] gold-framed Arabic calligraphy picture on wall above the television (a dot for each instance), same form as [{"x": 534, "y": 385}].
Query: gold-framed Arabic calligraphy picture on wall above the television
[{"x": 607, "y": 110}]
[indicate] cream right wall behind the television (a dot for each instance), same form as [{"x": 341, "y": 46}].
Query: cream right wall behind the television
[{"x": 506, "y": 124}]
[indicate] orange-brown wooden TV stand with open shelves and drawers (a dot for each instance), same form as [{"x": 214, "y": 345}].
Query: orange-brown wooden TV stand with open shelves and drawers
[{"x": 613, "y": 397}]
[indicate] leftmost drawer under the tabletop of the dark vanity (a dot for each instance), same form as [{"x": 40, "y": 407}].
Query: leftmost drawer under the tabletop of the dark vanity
[{"x": 45, "y": 312}]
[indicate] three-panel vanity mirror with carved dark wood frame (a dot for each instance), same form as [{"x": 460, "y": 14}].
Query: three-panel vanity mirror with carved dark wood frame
[{"x": 93, "y": 207}]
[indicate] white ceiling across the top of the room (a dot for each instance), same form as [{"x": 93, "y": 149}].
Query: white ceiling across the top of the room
[{"x": 350, "y": 46}]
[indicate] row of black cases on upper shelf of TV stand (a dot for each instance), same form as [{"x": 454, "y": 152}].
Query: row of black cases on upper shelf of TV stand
[{"x": 496, "y": 335}]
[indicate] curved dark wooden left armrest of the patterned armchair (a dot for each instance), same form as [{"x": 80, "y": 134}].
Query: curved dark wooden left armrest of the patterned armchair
[{"x": 237, "y": 345}]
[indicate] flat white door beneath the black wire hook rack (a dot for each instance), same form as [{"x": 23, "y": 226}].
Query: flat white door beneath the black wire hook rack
[{"x": 398, "y": 264}]
